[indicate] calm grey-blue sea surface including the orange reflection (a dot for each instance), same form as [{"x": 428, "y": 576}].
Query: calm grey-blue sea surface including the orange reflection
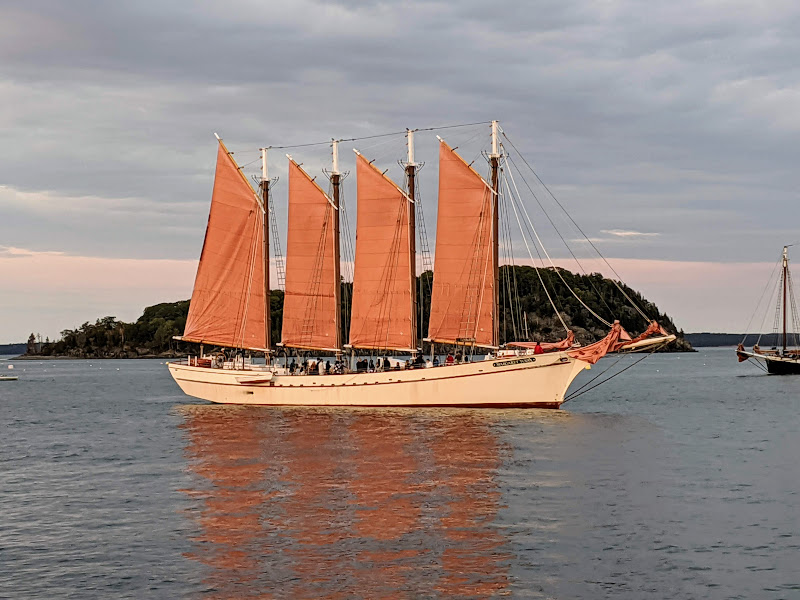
[{"x": 678, "y": 479}]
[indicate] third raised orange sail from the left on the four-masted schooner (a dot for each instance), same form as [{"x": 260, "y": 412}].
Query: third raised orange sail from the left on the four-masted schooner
[{"x": 384, "y": 273}]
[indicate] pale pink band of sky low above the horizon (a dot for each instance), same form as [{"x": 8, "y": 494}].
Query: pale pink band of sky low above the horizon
[{"x": 47, "y": 292}]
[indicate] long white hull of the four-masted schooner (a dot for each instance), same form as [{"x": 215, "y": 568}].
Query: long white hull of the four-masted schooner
[{"x": 524, "y": 381}]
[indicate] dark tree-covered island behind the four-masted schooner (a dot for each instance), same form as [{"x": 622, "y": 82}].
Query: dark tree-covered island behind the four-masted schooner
[{"x": 153, "y": 333}]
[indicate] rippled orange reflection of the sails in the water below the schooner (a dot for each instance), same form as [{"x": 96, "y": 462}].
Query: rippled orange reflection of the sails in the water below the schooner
[{"x": 314, "y": 503}]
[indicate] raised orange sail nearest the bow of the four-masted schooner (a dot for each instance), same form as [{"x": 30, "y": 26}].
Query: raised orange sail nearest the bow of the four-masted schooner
[{"x": 462, "y": 304}]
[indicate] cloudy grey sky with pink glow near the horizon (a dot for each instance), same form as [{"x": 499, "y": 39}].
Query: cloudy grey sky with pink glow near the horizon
[{"x": 667, "y": 130}]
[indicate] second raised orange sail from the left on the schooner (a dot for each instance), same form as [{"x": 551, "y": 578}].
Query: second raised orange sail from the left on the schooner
[{"x": 310, "y": 317}]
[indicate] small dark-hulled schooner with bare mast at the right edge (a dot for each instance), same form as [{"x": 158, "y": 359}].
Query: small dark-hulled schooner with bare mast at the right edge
[{"x": 786, "y": 360}]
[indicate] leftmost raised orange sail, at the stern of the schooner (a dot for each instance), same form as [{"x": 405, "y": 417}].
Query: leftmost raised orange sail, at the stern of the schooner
[{"x": 227, "y": 307}]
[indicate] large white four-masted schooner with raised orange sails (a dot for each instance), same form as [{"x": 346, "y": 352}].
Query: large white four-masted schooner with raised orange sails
[{"x": 230, "y": 305}]
